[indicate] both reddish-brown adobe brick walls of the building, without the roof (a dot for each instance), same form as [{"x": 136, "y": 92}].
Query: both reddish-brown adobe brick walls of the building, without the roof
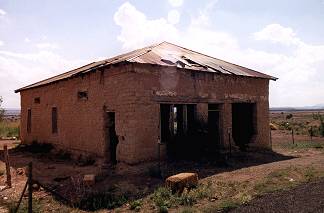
[{"x": 134, "y": 92}]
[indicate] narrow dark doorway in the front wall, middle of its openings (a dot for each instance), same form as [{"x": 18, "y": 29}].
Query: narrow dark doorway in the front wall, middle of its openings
[{"x": 213, "y": 127}]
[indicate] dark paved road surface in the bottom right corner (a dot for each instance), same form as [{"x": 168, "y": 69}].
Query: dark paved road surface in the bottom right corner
[{"x": 304, "y": 198}]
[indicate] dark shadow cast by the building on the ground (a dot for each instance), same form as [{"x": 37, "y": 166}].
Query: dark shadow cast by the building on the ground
[{"x": 63, "y": 176}]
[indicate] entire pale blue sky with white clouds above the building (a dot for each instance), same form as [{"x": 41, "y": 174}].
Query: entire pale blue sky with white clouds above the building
[{"x": 42, "y": 38}]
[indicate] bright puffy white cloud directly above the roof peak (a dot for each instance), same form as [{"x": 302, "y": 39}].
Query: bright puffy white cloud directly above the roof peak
[{"x": 137, "y": 30}]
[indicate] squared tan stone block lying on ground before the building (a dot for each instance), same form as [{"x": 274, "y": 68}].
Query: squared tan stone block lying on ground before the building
[{"x": 178, "y": 182}]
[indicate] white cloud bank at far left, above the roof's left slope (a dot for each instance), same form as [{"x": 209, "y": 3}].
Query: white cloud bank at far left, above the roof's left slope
[{"x": 21, "y": 69}]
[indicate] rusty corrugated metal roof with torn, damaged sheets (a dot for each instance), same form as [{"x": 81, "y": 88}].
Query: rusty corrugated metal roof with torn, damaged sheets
[{"x": 144, "y": 56}]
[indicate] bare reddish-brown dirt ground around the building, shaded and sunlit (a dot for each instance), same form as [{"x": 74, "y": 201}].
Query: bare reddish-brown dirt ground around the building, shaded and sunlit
[{"x": 64, "y": 176}]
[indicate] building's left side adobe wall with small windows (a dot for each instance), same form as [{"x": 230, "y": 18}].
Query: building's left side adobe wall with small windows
[{"x": 81, "y": 122}]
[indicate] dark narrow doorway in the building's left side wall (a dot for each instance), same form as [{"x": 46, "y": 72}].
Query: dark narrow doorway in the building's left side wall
[{"x": 111, "y": 136}]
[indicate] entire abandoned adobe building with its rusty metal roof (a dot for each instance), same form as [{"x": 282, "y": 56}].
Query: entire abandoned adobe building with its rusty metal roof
[{"x": 162, "y": 99}]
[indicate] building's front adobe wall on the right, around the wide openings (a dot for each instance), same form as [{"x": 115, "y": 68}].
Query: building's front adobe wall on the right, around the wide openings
[{"x": 172, "y": 85}]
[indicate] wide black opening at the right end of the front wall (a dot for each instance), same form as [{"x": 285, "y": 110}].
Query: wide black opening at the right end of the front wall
[{"x": 243, "y": 123}]
